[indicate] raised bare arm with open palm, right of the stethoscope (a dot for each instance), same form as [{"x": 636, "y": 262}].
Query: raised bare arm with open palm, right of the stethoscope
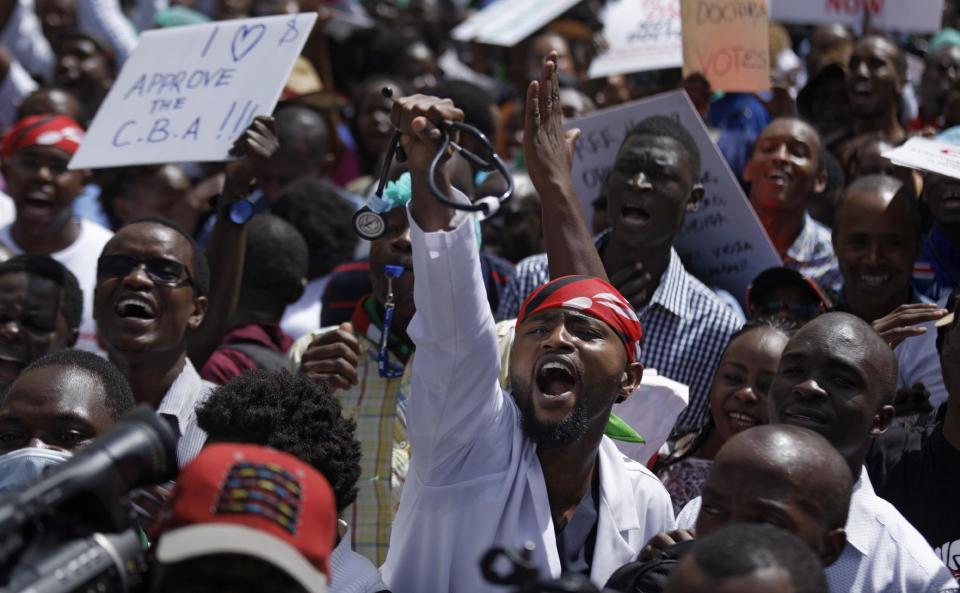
[{"x": 548, "y": 152}]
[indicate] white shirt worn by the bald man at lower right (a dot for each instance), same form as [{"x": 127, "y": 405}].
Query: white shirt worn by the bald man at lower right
[{"x": 884, "y": 553}]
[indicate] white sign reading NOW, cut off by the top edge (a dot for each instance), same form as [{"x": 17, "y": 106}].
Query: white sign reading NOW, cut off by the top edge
[{"x": 914, "y": 16}]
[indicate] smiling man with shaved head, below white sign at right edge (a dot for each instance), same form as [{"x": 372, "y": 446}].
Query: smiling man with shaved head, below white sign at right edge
[{"x": 877, "y": 238}]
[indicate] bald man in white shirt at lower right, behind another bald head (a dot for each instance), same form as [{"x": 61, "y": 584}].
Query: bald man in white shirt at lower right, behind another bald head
[{"x": 837, "y": 377}]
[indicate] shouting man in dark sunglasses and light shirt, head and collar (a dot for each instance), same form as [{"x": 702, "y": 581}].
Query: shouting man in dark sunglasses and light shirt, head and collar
[{"x": 152, "y": 286}]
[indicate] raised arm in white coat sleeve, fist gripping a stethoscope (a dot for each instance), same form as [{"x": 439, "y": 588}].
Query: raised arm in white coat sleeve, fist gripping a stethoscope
[{"x": 457, "y": 418}]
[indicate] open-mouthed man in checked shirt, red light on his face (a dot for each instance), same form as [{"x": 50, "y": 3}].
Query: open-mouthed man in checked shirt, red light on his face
[{"x": 784, "y": 170}]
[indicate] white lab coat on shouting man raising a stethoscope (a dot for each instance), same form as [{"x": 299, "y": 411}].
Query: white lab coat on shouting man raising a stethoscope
[{"x": 475, "y": 481}]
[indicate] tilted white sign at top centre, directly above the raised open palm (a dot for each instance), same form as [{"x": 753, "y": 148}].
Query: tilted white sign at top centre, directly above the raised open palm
[{"x": 508, "y": 22}]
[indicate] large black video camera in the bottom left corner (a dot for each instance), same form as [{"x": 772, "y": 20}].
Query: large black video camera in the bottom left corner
[{"x": 74, "y": 528}]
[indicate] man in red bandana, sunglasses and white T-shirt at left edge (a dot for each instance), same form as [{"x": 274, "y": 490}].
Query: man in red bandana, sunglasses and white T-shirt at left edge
[{"x": 35, "y": 154}]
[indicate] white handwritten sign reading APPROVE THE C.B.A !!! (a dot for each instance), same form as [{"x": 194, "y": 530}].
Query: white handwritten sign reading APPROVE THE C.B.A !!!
[{"x": 187, "y": 93}]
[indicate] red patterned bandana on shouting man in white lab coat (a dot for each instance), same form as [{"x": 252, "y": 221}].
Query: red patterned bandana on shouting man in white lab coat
[{"x": 593, "y": 297}]
